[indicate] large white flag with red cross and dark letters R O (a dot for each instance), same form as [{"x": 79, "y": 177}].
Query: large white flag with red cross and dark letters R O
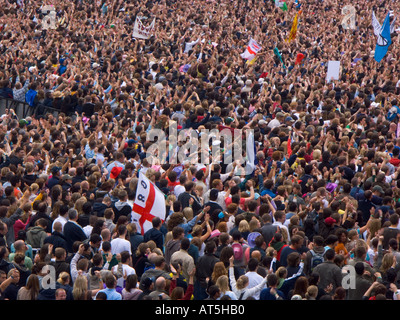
[{"x": 149, "y": 203}]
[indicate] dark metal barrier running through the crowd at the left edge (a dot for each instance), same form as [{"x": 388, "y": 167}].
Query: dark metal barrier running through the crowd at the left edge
[{"x": 23, "y": 109}]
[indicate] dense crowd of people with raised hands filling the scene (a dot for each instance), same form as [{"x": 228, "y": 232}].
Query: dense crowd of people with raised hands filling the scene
[{"x": 317, "y": 217}]
